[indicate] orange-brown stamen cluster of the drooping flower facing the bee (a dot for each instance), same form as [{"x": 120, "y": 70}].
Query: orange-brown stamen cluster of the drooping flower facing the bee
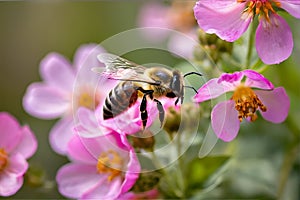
[{"x": 247, "y": 102}]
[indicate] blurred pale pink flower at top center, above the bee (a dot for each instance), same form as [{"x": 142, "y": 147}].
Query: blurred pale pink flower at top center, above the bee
[{"x": 176, "y": 19}]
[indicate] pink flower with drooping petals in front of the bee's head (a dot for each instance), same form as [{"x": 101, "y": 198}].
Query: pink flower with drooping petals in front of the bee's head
[{"x": 255, "y": 93}]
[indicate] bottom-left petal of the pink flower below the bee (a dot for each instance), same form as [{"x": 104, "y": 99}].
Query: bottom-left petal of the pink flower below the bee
[{"x": 76, "y": 179}]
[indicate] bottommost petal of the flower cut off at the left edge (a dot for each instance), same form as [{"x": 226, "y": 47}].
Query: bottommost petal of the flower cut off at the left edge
[{"x": 9, "y": 183}]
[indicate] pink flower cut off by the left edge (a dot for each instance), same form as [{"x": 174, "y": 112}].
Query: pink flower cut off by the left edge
[{"x": 16, "y": 145}]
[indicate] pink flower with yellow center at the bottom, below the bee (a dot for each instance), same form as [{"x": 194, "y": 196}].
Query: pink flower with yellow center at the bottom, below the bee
[{"x": 102, "y": 168}]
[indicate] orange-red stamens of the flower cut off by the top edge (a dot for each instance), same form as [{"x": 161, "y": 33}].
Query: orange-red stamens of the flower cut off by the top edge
[{"x": 261, "y": 7}]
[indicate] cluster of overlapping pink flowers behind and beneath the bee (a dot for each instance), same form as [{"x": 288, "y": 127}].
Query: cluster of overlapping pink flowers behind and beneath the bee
[{"x": 104, "y": 164}]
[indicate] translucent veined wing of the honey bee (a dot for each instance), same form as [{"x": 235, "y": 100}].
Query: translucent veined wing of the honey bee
[{"x": 118, "y": 68}]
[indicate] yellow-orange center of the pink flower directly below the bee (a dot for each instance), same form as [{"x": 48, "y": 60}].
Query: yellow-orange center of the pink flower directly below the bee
[{"x": 111, "y": 163}]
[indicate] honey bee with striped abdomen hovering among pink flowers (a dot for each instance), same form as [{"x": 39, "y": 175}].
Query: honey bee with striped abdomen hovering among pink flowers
[{"x": 137, "y": 81}]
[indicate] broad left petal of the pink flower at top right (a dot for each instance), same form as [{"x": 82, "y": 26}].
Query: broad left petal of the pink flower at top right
[{"x": 222, "y": 17}]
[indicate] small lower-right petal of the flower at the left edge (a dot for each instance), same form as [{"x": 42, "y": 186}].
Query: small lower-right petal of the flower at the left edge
[{"x": 17, "y": 165}]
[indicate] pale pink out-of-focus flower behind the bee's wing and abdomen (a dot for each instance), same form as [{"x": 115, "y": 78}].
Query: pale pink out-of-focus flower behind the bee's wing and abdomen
[{"x": 65, "y": 88}]
